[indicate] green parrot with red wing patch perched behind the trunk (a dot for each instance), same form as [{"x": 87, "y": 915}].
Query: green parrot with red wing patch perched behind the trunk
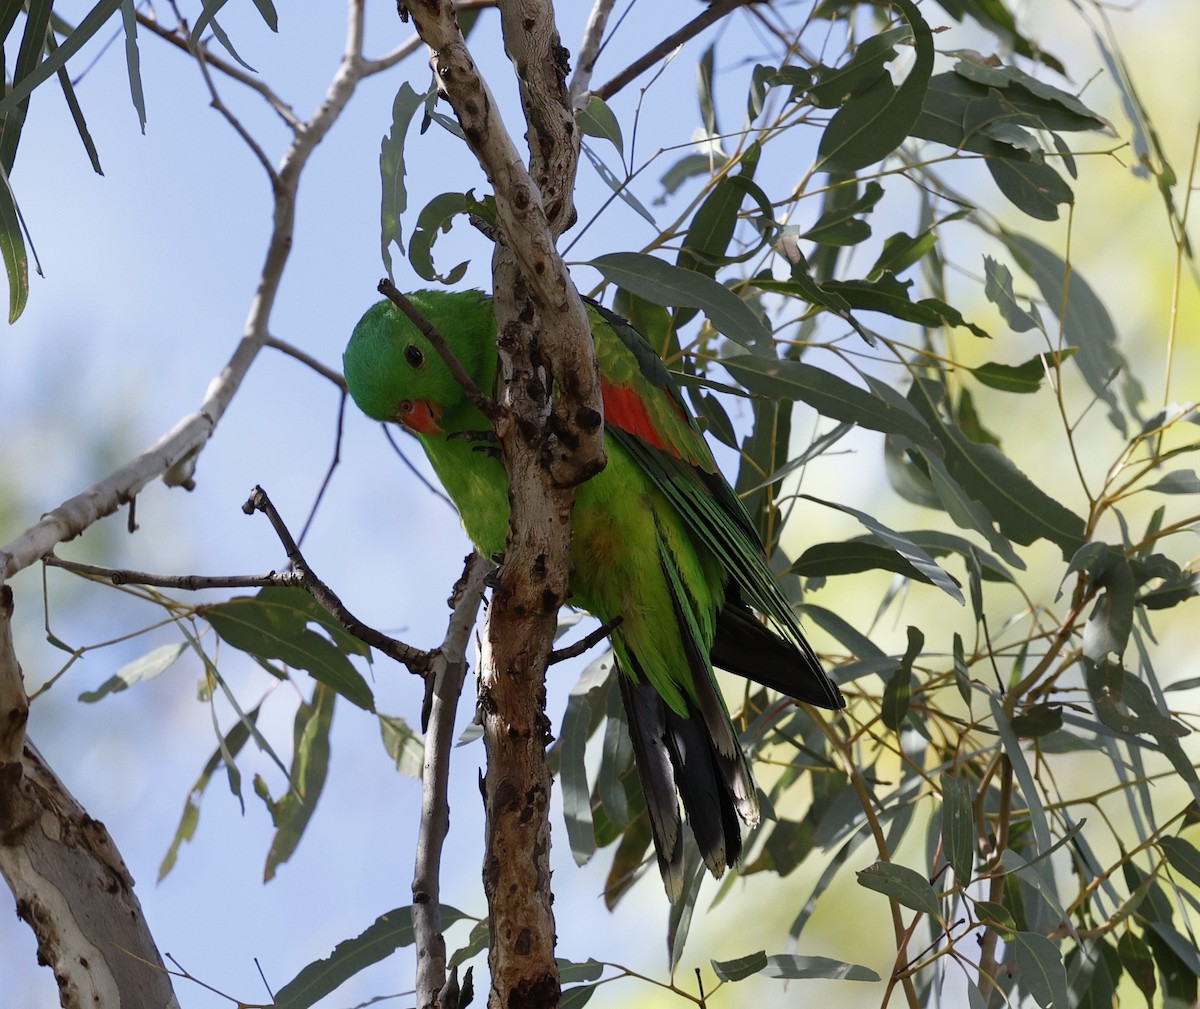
[{"x": 659, "y": 539}]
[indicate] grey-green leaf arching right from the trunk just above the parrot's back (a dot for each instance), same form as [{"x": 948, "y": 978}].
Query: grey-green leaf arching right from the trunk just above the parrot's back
[{"x": 674, "y": 287}]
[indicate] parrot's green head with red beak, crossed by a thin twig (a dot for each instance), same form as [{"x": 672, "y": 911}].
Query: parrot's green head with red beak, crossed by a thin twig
[{"x": 393, "y": 371}]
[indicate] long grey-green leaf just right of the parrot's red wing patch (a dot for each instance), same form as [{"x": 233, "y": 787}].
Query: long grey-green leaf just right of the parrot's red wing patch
[{"x": 827, "y": 394}]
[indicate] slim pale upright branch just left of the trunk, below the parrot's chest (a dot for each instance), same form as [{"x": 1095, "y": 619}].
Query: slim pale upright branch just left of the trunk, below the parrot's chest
[{"x": 445, "y": 684}]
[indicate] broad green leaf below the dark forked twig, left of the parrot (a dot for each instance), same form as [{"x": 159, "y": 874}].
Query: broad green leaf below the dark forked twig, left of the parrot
[{"x": 274, "y": 626}]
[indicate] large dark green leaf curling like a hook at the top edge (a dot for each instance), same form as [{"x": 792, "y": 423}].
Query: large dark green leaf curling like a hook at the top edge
[{"x": 873, "y": 124}]
